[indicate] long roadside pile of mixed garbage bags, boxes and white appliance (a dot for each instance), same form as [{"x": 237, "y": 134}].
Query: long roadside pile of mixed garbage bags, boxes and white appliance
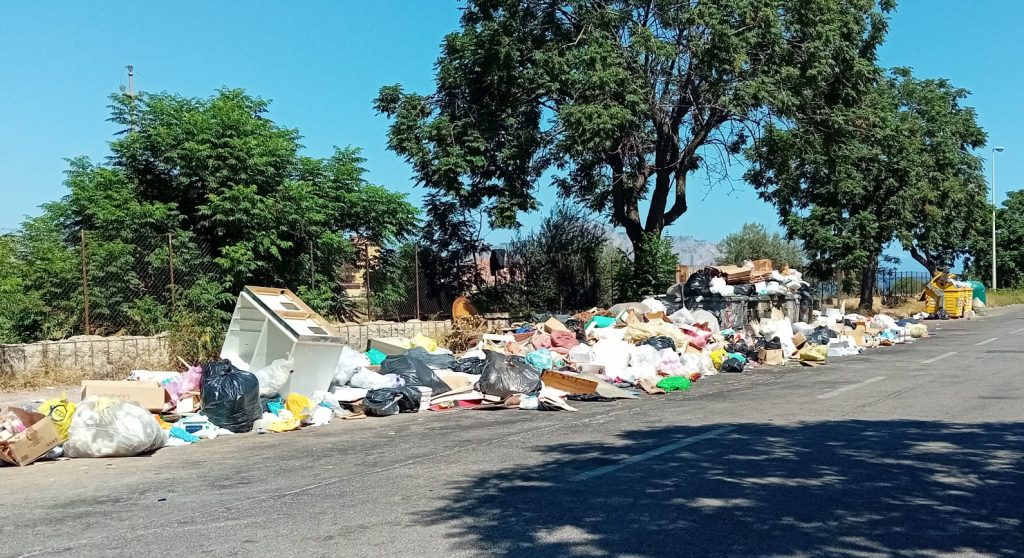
[{"x": 550, "y": 363}]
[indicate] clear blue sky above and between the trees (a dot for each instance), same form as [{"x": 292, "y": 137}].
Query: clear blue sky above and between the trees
[{"x": 323, "y": 62}]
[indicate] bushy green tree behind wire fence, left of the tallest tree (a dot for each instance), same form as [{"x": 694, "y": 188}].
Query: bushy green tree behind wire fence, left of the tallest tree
[{"x": 219, "y": 184}]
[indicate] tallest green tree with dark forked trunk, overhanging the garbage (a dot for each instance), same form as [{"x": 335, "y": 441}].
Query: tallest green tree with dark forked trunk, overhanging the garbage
[{"x": 618, "y": 103}]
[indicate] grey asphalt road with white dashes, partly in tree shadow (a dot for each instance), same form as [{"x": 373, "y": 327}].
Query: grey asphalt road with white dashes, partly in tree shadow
[{"x": 911, "y": 451}]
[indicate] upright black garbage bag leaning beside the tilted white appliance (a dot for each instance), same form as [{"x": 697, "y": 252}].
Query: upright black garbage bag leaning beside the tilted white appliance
[{"x": 231, "y": 397}]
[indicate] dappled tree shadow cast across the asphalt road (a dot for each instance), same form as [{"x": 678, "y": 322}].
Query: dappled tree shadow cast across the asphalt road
[{"x": 824, "y": 489}]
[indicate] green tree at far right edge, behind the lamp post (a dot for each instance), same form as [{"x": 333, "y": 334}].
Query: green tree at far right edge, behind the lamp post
[{"x": 1009, "y": 243}]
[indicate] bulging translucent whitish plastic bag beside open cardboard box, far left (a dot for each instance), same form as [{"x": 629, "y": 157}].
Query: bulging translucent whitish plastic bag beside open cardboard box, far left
[{"x": 109, "y": 427}]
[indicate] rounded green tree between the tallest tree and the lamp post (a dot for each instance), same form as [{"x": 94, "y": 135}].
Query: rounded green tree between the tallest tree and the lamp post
[{"x": 895, "y": 164}]
